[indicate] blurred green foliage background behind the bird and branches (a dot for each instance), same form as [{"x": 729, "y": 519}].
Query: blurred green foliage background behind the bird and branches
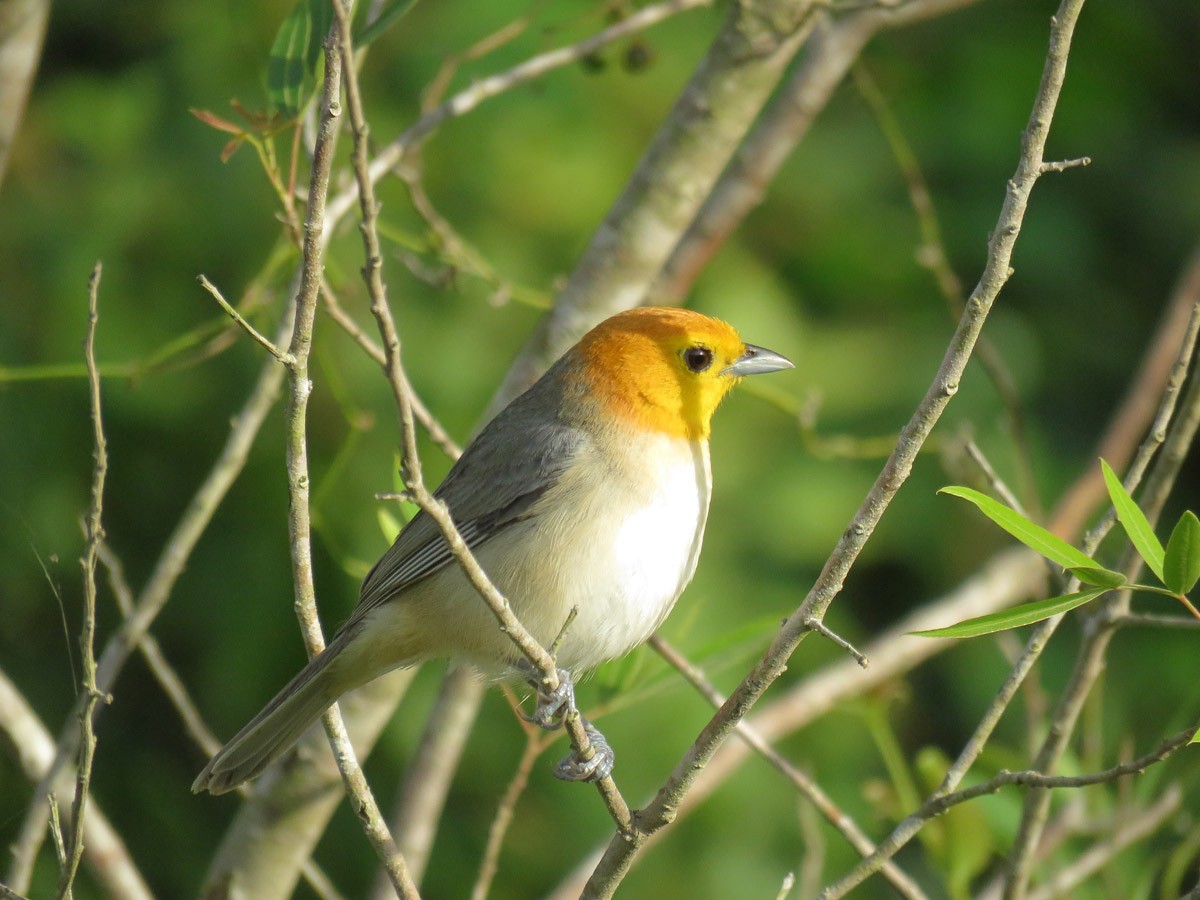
[{"x": 111, "y": 165}]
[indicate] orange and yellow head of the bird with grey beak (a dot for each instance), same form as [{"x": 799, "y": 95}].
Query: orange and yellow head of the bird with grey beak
[{"x": 667, "y": 370}]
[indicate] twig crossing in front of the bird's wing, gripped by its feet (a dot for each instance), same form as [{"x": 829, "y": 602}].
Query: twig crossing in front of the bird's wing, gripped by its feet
[{"x": 415, "y": 481}]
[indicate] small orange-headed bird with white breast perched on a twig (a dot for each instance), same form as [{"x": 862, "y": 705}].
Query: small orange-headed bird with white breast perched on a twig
[{"x": 586, "y": 497}]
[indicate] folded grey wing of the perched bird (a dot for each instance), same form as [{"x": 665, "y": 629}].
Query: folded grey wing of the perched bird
[{"x": 513, "y": 463}]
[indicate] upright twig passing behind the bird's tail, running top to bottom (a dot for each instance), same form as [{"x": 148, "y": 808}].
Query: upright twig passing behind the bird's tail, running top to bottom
[{"x": 339, "y": 57}]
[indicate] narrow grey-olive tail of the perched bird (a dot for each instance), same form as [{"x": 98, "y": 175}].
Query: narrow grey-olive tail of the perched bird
[{"x": 281, "y": 723}]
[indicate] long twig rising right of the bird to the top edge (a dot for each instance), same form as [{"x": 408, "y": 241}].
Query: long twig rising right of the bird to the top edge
[{"x": 622, "y": 851}]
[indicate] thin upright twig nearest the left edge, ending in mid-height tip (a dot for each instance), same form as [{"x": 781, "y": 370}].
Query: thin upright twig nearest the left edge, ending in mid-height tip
[{"x": 91, "y": 695}]
